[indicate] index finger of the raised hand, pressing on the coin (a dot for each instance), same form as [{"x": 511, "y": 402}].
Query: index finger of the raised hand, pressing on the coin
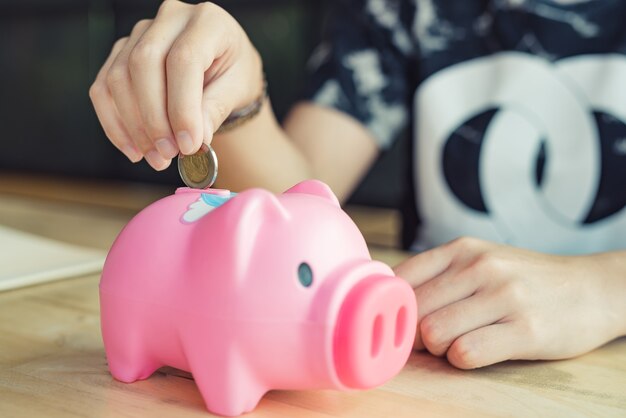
[{"x": 195, "y": 50}]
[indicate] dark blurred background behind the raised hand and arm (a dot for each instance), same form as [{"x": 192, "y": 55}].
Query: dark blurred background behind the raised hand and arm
[{"x": 51, "y": 50}]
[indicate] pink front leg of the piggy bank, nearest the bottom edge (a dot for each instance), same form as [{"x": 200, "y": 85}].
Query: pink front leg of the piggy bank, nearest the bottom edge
[{"x": 223, "y": 376}]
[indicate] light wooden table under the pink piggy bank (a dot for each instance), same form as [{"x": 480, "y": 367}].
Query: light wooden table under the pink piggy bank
[{"x": 52, "y": 362}]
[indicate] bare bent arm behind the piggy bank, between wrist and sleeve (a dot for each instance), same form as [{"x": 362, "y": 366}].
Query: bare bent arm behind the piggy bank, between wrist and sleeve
[{"x": 315, "y": 142}]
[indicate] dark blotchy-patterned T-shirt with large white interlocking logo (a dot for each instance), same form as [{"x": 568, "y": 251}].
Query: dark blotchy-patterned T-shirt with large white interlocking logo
[{"x": 518, "y": 110}]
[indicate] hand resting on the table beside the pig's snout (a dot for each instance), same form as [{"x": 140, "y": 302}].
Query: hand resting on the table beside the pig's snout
[{"x": 481, "y": 303}]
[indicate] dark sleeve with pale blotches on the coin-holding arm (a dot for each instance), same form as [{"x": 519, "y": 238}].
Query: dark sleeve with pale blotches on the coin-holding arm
[{"x": 364, "y": 65}]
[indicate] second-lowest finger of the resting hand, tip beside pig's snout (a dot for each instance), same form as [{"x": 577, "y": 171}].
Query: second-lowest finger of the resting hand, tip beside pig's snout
[{"x": 441, "y": 328}]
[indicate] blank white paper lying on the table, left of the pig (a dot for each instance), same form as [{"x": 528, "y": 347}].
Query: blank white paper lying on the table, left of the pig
[{"x": 27, "y": 259}]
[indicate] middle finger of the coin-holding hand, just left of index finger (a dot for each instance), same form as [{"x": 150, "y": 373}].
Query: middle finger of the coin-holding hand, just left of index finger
[{"x": 147, "y": 70}]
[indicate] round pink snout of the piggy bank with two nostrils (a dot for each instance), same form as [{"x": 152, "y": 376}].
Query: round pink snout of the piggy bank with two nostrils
[{"x": 375, "y": 331}]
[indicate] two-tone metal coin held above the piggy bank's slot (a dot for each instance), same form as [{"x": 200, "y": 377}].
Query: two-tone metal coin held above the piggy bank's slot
[{"x": 198, "y": 170}]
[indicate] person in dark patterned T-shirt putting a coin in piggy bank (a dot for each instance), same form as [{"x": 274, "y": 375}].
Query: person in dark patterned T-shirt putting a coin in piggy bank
[{"x": 518, "y": 113}]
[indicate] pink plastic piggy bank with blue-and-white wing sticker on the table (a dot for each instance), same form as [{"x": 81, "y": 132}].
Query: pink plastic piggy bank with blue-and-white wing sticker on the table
[{"x": 252, "y": 292}]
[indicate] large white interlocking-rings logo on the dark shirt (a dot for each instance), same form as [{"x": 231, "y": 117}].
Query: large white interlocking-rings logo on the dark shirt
[{"x": 537, "y": 100}]
